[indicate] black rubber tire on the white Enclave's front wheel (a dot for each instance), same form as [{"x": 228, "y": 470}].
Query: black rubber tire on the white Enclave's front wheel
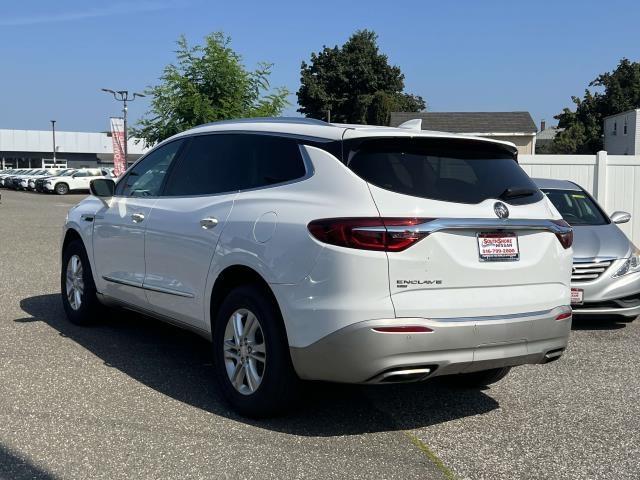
[{"x": 86, "y": 312}]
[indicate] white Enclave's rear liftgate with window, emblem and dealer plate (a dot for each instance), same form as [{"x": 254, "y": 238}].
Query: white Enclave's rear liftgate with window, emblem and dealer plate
[{"x": 484, "y": 247}]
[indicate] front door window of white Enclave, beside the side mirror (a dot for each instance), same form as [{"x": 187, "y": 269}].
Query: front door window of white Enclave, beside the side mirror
[{"x": 146, "y": 177}]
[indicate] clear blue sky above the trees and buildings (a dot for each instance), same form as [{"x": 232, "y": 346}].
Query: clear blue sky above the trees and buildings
[{"x": 463, "y": 55}]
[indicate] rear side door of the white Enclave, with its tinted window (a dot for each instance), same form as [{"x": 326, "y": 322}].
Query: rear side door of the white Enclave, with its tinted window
[{"x": 185, "y": 226}]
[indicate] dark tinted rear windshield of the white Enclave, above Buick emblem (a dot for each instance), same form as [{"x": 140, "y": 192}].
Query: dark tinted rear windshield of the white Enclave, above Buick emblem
[{"x": 461, "y": 171}]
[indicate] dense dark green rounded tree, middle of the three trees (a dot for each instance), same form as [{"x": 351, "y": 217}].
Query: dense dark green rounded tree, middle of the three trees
[{"x": 355, "y": 82}]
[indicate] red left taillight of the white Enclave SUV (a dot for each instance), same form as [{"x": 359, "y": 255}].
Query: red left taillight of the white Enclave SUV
[{"x": 382, "y": 234}]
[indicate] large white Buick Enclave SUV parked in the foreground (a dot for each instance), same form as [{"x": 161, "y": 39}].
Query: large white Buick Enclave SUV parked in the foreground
[{"x": 307, "y": 250}]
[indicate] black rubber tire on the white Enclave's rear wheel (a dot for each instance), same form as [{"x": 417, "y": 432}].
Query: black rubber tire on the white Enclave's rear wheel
[{"x": 279, "y": 386}]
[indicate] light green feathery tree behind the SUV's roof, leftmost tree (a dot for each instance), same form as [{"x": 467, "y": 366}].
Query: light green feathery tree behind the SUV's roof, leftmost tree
[{"x": 207, "y": 83}]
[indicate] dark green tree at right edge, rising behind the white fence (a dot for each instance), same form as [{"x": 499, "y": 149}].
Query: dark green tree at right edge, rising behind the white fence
[{"x": 620, "y": 91}]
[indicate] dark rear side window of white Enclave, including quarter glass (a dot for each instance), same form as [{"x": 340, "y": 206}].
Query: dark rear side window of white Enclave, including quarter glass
[{"x": 229, "y": 162}]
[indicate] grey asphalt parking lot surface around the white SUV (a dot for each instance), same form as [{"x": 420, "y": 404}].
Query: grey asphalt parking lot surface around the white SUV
[{"x": 134, "y": 398}]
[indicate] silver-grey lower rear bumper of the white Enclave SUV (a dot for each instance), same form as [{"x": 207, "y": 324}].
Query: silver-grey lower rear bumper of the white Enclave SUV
[{"x": 359, "y": 354}]
